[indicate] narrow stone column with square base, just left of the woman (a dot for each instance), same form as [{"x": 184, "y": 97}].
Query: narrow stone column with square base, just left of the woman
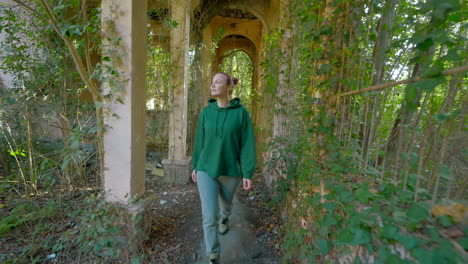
[{"x": 178, "y": 166}]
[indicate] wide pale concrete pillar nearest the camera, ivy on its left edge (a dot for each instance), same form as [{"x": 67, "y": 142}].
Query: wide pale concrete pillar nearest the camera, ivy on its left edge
[{"x": 124, "y": 28}]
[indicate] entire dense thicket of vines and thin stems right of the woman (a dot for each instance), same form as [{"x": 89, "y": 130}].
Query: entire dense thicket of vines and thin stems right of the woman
[{"x": 344, "y": 203}]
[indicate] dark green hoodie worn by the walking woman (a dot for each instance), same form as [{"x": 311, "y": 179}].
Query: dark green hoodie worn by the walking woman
[{"x": 224, "y": 141}]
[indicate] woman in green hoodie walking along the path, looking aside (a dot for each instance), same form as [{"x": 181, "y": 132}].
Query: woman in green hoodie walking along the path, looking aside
[{"x": 223, "y": 156}]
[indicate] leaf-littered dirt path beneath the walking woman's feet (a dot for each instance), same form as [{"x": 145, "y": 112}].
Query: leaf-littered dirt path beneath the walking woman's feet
[{"x": 177, "y": 235}]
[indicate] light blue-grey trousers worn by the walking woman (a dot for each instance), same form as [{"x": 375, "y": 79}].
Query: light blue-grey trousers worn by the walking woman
[{"x": 215, "y": 194}]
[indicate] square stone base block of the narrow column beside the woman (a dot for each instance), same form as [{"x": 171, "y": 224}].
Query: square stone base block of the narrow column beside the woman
[{"x": 177, "y": 171}]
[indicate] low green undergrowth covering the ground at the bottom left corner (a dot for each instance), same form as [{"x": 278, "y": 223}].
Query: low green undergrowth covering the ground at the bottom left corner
[{"x": 85, "y": 230}]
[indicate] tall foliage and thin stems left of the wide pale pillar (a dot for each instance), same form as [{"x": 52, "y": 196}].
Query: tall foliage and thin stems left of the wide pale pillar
[{"x": 44, "y": 99}]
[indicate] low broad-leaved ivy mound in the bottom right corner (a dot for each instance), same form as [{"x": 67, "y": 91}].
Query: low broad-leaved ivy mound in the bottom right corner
[{"x": 357, "y": 211}]
